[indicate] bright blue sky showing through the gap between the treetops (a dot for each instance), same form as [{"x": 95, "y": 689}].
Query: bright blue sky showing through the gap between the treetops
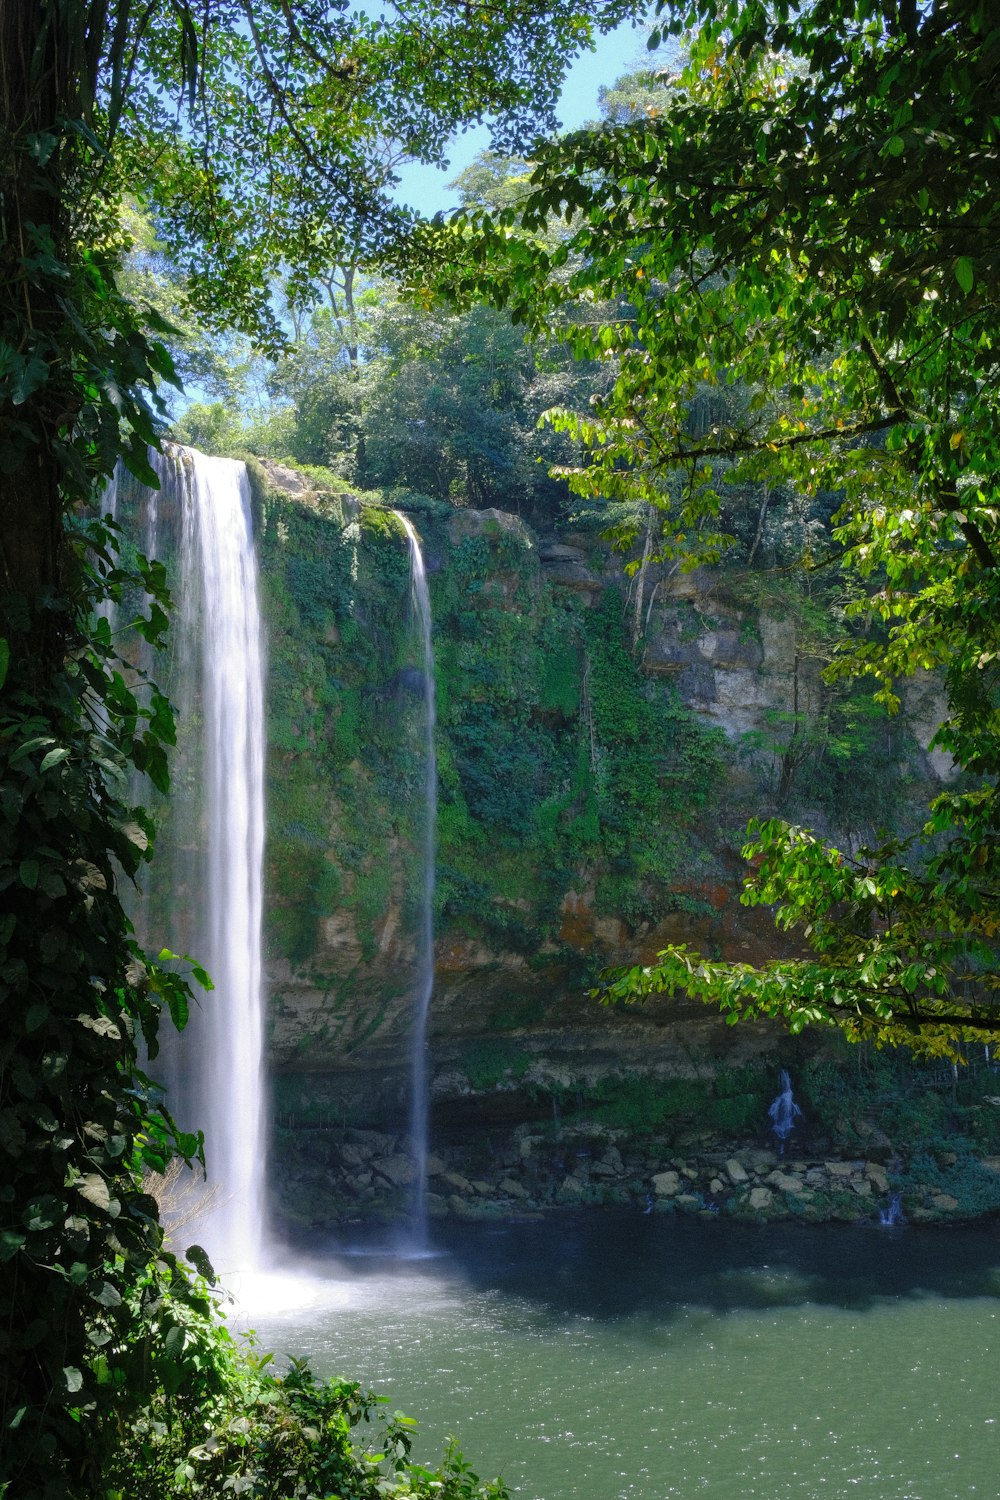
[{"x": 427, "y": 188}]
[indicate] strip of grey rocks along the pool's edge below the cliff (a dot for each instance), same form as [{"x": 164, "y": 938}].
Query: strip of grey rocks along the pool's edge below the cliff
[{"x": 331, "y": 1177}]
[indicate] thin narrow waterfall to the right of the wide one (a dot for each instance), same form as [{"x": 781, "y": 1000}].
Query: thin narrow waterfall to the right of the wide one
[{"x": 421, "y": 602}]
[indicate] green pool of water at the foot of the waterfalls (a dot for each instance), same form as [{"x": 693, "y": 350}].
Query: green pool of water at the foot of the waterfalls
[{"x": 639, "y": 1358}]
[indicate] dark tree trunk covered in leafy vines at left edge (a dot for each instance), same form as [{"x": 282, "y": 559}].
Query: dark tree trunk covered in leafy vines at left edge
[{"x": 76, "y": 1229}]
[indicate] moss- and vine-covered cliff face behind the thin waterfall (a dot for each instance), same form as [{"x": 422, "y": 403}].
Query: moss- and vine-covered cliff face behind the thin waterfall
[{"x": 593, "y": 797}]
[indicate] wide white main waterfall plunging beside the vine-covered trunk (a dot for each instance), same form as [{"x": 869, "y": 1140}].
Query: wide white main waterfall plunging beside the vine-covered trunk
[{"x": 217, "y": 836}]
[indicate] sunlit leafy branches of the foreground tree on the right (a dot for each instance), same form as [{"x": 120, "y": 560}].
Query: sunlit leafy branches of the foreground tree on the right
[{"x": 807, "y": 211}]
